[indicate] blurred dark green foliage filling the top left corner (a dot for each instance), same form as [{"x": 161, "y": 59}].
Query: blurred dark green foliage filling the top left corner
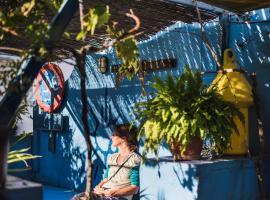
[{"x": 28, "y": 21}]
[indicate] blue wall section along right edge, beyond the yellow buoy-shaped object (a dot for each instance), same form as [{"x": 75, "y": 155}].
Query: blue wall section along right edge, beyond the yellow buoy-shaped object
[{"x": 251, "y": 44}]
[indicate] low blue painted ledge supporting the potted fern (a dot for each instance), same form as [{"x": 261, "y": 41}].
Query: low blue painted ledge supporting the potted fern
[{"x": 203, "y": 180}]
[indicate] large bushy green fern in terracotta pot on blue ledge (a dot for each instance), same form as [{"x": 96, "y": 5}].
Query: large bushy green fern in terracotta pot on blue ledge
[{"x": 184, "y": 113}]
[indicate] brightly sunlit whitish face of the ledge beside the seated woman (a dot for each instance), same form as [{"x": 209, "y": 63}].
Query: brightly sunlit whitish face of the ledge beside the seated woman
[{"x": 168, "y": 179}]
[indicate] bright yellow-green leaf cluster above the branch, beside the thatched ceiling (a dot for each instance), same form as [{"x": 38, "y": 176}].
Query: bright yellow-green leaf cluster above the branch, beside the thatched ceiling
[{"x": 97, "y": 16}]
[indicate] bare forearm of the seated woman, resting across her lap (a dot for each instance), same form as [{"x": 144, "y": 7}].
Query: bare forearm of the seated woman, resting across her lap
[{"x": 128, "y": 190}]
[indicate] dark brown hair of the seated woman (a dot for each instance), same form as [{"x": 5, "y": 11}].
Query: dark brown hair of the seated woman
[{"x": 128, "y": 133}]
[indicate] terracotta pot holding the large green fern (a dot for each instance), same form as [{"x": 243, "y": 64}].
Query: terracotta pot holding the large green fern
[{"x": 193, "y": 151}]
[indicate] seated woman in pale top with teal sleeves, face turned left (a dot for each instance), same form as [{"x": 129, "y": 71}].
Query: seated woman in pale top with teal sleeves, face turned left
[{"x": 122, "y": 175}]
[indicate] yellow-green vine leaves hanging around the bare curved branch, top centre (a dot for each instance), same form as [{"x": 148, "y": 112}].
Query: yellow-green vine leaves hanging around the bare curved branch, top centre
[{"x": 126, "y": 48}]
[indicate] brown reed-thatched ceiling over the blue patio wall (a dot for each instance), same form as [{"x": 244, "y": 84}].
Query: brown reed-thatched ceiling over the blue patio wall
[{"x": 154, "y": 15}]
